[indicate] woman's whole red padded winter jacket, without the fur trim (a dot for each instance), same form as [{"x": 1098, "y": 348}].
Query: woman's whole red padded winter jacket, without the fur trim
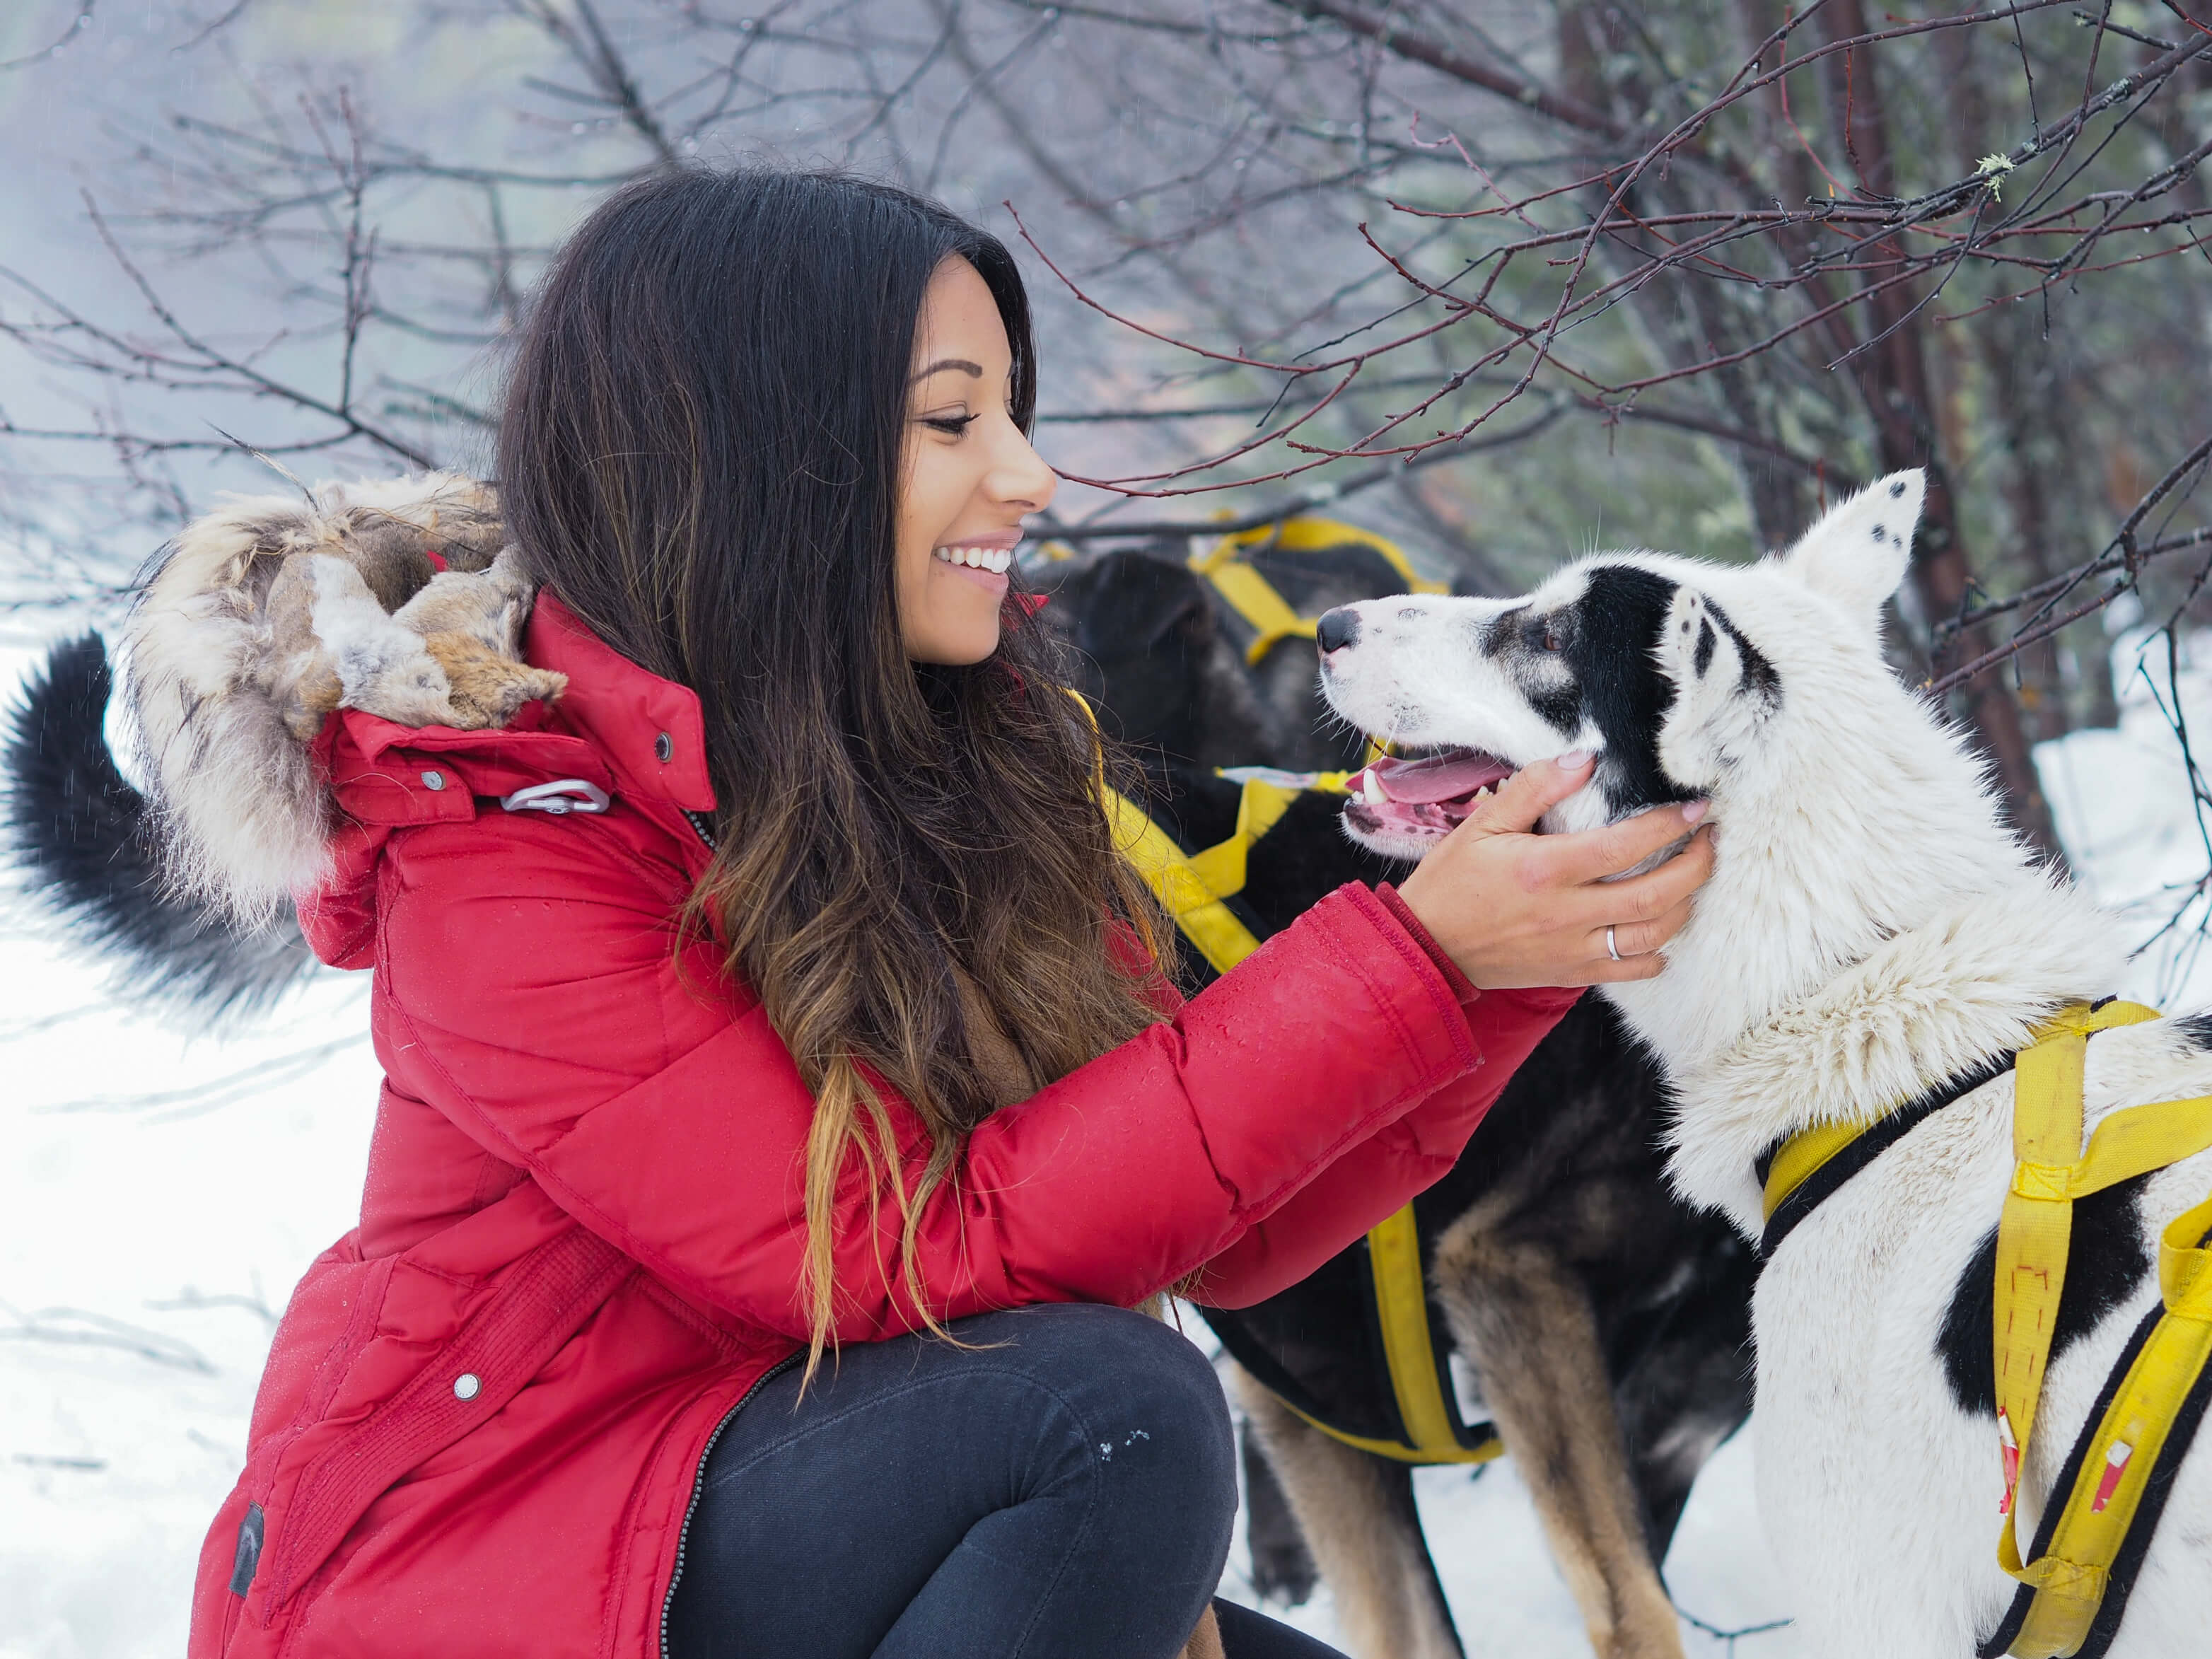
[{"x": 581, "y": 1238}]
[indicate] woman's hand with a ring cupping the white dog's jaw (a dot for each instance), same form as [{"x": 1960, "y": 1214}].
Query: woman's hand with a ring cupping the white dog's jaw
[{"x": 1516, "y": 908}]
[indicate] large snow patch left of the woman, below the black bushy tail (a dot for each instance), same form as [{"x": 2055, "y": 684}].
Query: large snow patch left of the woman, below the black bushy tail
[{"x": 154, "y": 1218}]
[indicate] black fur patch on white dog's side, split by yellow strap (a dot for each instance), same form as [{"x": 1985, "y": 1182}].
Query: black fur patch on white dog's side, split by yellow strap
[{"x": 2105, "y": 1266}]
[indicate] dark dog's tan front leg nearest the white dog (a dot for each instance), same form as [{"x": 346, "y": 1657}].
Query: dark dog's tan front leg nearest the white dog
[{"x": 1527, "y": 1324}]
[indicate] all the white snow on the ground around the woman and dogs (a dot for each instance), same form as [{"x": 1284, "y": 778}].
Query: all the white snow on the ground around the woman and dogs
[{"x": 163, "y": 1189}]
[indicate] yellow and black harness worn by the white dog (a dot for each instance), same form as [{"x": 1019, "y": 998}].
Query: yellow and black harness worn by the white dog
[{"x": 2114, "y": 1485}]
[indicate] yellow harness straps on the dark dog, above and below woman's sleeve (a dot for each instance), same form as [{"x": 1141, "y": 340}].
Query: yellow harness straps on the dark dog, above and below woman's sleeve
[{"x": 1193, "y": 888}]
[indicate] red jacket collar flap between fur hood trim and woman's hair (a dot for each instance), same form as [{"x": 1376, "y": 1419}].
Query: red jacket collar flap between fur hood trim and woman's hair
[{"x": 649, "y": 731}]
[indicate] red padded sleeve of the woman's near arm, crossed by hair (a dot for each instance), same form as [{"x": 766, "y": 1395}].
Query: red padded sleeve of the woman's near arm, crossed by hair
[{"x": 532, "y": 990}]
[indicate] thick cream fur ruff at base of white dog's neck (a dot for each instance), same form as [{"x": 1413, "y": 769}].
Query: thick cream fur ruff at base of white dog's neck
[{"x": 1921, "y": 1008}]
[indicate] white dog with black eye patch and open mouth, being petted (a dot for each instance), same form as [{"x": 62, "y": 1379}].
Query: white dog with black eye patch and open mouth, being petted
[{"x": 1872, "y": 930}]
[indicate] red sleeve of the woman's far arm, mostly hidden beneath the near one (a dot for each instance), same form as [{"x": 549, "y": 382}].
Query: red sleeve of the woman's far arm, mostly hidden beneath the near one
[{"x": 1388, "y": 1169}]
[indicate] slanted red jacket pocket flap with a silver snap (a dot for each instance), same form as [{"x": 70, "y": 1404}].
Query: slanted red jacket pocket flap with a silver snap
[{"x": 543, "y": 1302}]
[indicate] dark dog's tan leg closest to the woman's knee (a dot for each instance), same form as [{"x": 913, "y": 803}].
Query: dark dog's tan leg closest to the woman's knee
[{"x": 1359, "y": 1521}]
